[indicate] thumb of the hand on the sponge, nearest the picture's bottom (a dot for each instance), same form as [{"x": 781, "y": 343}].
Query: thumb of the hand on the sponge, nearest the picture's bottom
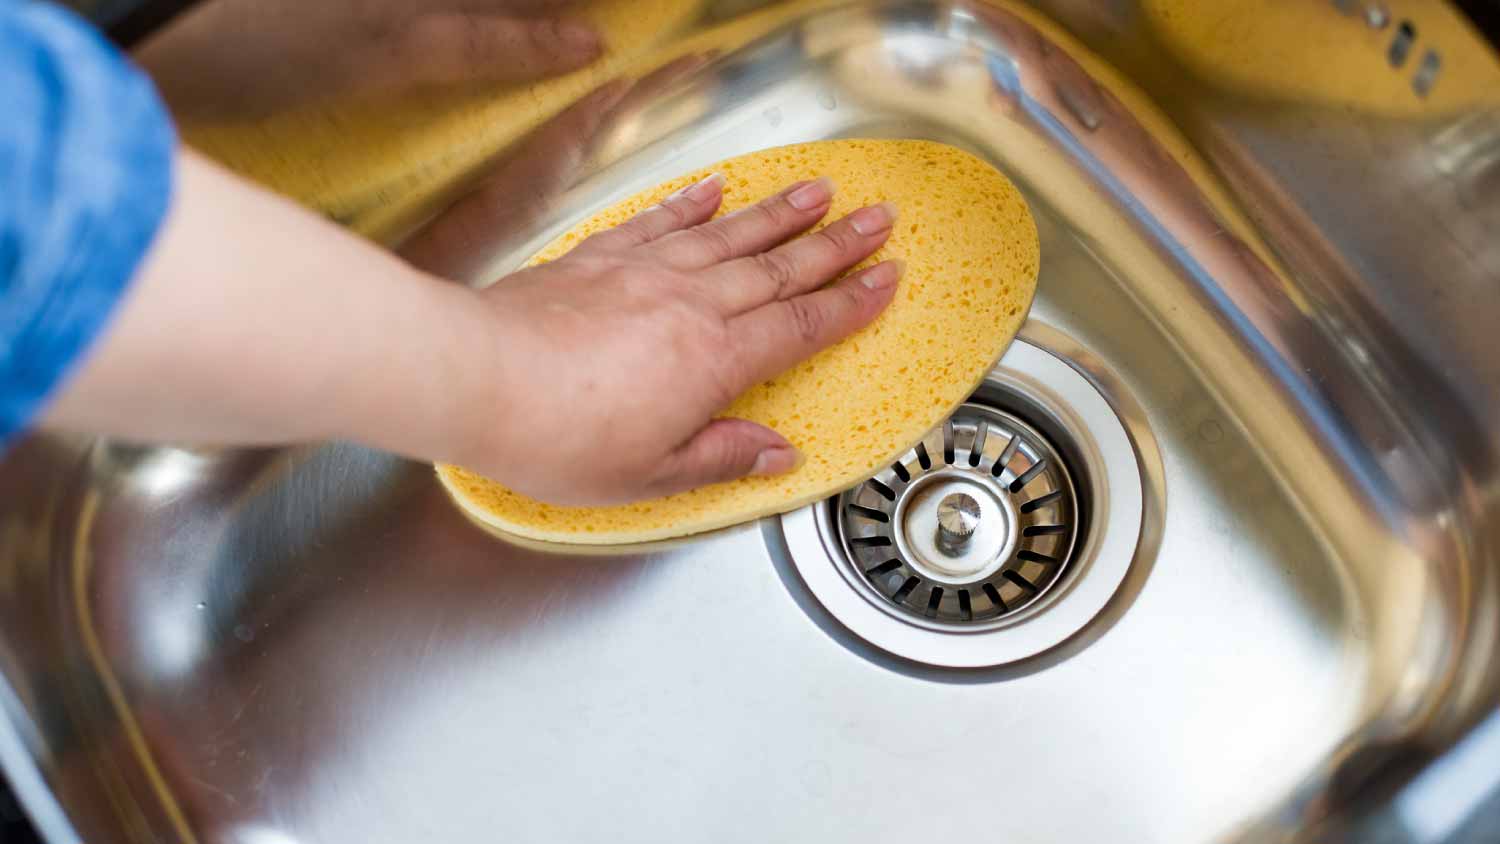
[{"x": 727, "y": 450}]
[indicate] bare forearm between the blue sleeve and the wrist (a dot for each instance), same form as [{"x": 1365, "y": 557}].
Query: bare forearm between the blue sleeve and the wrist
[{"x": 256, "y": 322}]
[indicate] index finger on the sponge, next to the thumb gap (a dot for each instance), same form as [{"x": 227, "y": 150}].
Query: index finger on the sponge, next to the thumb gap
[{"x": 776, "y": 337}]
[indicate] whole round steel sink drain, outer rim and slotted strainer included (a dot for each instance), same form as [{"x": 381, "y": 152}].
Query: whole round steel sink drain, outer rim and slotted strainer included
[{"x": 998, "y": 537}]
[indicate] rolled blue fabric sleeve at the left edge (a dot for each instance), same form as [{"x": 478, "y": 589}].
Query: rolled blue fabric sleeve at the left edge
[{"x": 86, "y": 169}]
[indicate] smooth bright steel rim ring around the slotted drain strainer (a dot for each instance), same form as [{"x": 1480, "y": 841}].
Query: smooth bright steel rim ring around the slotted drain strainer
[{"x": 1111, "y": 482}]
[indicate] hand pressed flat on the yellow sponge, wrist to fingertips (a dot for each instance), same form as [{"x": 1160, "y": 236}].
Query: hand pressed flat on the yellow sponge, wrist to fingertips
[{"x": 616, "y": 359}]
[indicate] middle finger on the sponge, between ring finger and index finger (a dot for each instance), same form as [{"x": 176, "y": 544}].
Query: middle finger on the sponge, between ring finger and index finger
[{"x": 803, "y": 265}]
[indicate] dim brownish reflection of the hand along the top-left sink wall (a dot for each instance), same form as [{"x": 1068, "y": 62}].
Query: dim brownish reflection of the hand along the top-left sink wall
[{"x": 244, "y": 59}]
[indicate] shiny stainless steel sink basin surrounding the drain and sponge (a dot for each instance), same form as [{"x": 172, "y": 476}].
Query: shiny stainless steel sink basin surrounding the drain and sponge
[{"x": 1279, "y": 319}]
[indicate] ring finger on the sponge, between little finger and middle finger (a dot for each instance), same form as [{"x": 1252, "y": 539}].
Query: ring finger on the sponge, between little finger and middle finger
[{"x": 749, "y": 232}]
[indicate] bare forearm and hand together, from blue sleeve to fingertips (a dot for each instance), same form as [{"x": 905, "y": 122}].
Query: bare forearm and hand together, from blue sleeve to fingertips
[{"x": 596, "y": 379}]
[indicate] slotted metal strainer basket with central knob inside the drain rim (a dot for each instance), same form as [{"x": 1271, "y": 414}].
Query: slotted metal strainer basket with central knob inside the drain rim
[{"x": 974, "y": 524}]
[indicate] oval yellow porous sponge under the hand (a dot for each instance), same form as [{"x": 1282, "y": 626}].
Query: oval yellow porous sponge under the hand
[{"x": 971, "y": 271}]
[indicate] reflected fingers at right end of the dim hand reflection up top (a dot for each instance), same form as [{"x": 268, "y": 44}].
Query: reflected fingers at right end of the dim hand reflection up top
[{"x": 460, "y": 47}]
